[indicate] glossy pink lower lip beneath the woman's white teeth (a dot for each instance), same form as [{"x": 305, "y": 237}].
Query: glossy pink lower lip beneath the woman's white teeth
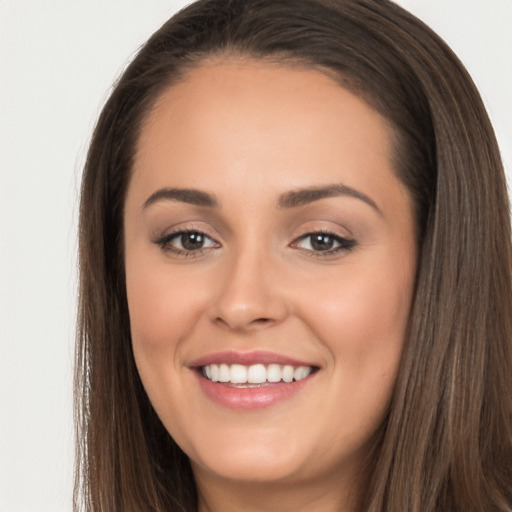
[{"x": 251, "y": 398}]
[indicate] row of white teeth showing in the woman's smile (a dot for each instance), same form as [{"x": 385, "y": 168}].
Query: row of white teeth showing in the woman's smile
[{"x": 256, "y": 375}]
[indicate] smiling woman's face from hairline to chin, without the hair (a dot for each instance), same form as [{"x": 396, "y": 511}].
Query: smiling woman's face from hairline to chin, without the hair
[{"x": 268, "y": 240}]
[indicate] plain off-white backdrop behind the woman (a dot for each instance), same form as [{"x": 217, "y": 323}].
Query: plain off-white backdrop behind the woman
[{"x": 58, "y": 59}]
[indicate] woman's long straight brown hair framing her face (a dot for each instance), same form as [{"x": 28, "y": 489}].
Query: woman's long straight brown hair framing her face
[{"x": 446, "y": 442}]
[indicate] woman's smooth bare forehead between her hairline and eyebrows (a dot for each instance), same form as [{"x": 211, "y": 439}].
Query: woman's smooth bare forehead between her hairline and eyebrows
[{"x": 241, "y": 120}]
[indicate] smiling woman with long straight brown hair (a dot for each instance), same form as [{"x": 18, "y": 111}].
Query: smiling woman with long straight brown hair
[{"x": 295, "y": 271}]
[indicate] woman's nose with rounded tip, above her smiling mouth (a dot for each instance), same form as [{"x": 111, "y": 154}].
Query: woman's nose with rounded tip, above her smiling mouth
[{"x": 250, "y": 293}]
